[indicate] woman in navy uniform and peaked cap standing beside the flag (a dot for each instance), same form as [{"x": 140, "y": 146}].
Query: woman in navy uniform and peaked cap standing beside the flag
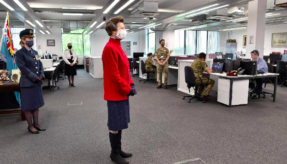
[{"x": 32, "y": 75}]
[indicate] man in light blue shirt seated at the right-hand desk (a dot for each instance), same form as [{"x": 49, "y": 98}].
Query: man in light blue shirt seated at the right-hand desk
[{"x": 261, "y": 68}]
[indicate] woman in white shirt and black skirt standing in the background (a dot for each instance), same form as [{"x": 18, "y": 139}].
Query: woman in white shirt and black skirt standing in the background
[{"x": 70, "y": 59}]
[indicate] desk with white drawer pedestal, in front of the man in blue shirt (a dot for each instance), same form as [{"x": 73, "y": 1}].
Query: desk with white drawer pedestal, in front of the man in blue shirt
[{"x": 233, "y": 90}]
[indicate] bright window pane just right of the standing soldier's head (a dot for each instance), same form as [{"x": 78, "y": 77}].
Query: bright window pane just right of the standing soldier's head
[{"x": 179, "y": 42}]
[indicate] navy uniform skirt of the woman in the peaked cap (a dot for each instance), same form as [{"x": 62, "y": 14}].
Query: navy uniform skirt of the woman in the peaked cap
[{"x": 31, "y": 98}]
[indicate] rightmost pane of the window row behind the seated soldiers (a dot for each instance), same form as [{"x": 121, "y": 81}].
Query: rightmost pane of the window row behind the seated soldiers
[{"x": 213, "y": 42}]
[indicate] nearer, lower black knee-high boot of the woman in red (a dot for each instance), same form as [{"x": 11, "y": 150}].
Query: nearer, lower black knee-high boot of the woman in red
[{"x": 115, "y": 154}]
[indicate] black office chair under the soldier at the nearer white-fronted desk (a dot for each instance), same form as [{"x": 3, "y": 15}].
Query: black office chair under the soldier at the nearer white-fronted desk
[{"x": 190, "y": 81}]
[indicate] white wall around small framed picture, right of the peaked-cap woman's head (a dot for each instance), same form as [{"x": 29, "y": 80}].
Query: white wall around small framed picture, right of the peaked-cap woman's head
[{"x": 41, "y": 40}]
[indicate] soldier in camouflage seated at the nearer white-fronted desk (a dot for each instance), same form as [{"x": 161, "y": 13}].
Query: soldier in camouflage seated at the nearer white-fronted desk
[{"x": 199, "y": 66}]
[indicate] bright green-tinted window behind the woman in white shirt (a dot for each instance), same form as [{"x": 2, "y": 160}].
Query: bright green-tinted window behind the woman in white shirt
[{"x": 76, "y": 38}]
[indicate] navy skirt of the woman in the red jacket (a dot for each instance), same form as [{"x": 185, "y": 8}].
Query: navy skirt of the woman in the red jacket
[{"x": 119, "y": 115}]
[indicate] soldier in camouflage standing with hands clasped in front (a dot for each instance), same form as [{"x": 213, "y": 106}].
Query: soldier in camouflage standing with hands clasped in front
[{"x": 162, "y": 56}]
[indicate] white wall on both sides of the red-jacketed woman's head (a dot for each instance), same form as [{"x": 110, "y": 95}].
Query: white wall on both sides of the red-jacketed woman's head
[{"x": 100, "y": 38}]
